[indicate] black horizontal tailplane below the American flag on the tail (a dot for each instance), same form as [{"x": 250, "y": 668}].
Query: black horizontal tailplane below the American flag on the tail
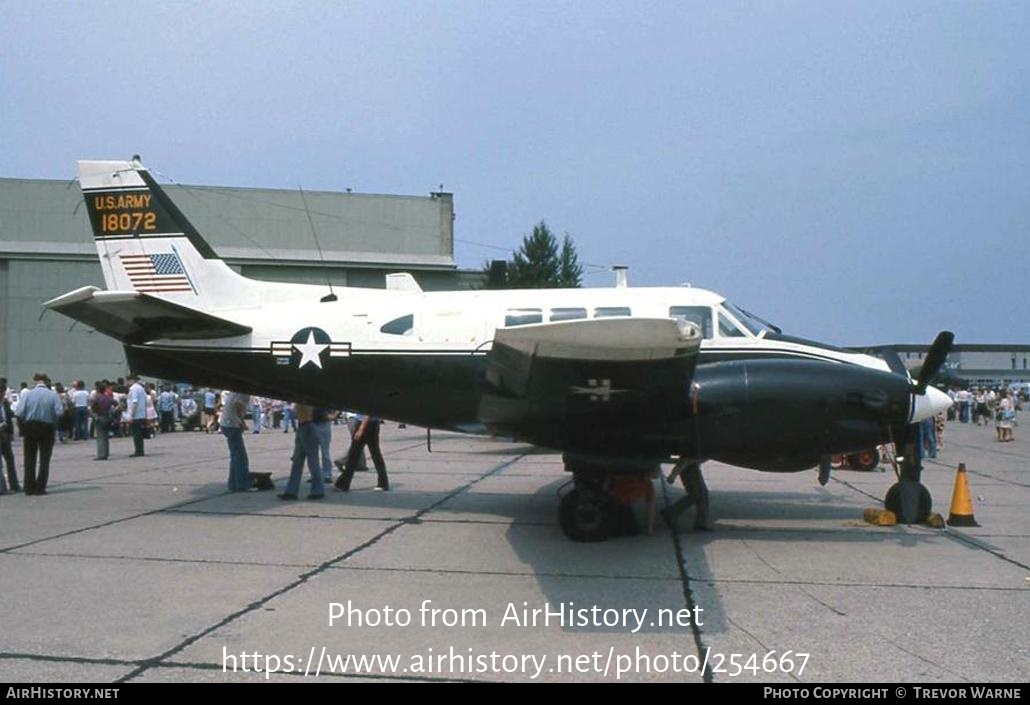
[{"x": 131, "y": 317}]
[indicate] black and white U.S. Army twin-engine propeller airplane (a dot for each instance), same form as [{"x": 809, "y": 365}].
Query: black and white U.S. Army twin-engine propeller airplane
[{"x": 620, "y": 380}]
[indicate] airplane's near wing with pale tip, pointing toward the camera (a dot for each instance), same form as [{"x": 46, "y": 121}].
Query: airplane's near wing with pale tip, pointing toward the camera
[{"x": 575, "y": 382}]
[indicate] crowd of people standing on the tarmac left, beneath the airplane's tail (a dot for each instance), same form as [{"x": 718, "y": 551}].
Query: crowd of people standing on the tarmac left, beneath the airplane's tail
[{"x": 48, "y": 413}]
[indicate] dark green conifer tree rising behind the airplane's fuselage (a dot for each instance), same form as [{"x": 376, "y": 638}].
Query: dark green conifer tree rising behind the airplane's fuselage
[{"x": 540, "y": 263}]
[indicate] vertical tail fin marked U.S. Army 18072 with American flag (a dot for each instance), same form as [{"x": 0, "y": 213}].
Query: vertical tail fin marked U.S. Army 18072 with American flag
[{"x": 147, "y": 245}]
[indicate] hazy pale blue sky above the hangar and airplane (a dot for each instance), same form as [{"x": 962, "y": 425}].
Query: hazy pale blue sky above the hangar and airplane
[{"x": 854, "y": 172}]
